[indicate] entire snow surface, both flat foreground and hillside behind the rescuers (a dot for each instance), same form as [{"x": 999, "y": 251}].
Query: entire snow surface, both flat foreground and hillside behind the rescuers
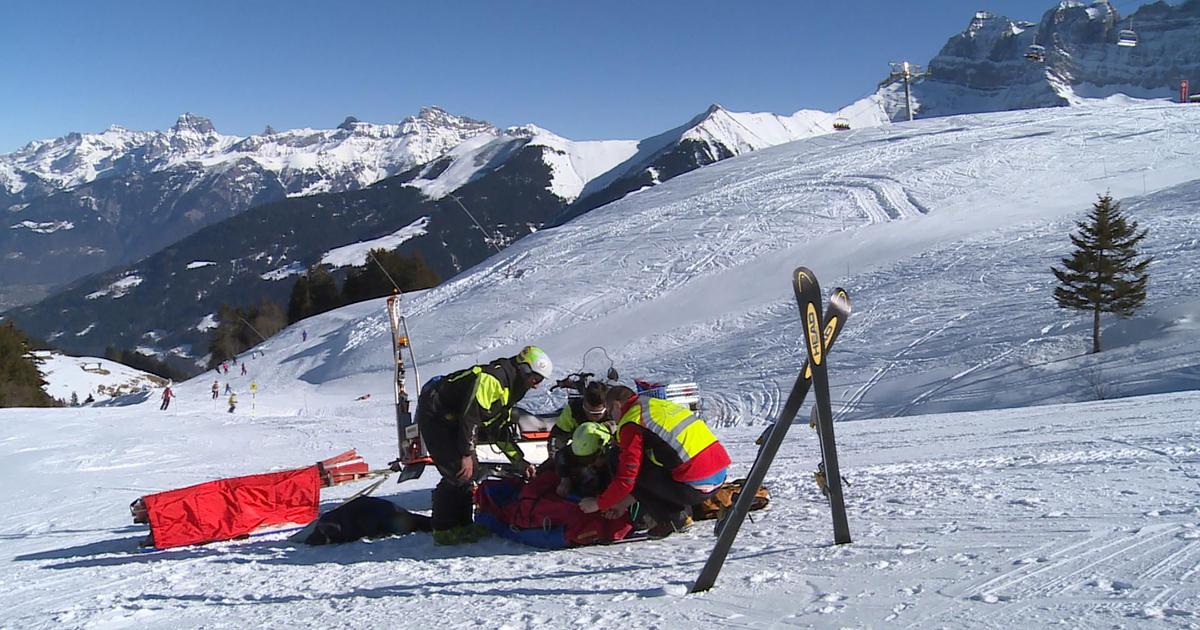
[{"x": 1051, "y": 509}]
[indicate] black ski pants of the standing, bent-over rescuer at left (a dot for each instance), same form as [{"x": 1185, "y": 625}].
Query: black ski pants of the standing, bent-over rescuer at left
[{"x": 453, "y": 502}]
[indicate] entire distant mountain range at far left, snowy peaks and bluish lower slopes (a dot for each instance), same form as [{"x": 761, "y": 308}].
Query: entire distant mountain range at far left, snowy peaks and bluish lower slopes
[{"x": 88, "y": 202}]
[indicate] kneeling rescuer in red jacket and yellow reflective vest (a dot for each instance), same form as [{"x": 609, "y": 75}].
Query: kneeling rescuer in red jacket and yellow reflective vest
[{"x": 670, "y": 461}]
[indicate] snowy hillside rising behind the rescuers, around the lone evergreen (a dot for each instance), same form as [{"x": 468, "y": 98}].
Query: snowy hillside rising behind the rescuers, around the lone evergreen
[{"x": 943, "y": 231}]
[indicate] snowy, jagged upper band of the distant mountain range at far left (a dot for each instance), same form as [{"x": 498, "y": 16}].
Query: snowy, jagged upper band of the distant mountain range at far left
[{"x": 307, "y": 161}]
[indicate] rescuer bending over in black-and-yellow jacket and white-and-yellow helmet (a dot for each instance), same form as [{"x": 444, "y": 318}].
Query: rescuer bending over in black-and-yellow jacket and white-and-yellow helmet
[{"x": 451, "y": 412}]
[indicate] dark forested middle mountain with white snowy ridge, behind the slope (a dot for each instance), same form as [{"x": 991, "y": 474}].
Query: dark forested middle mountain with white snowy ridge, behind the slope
[{"x": 513, "y": 182}]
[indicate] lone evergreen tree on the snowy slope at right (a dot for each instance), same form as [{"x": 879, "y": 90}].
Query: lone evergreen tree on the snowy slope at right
[{"x": 1105, "y": 274}]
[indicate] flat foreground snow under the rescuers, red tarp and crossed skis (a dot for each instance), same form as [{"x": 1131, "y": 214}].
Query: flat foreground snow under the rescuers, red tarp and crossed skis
[{"x": 1081, "y": 515}]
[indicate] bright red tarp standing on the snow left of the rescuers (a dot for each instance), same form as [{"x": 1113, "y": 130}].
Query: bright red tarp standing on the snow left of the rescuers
[{"x": 232, "y": 508}]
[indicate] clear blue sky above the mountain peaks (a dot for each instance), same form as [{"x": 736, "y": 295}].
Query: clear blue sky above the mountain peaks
[{"x": 615, "y": 70}]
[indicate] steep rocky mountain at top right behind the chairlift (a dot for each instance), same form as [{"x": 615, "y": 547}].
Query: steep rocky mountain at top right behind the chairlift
[{"x": 985, "y": 68}]
